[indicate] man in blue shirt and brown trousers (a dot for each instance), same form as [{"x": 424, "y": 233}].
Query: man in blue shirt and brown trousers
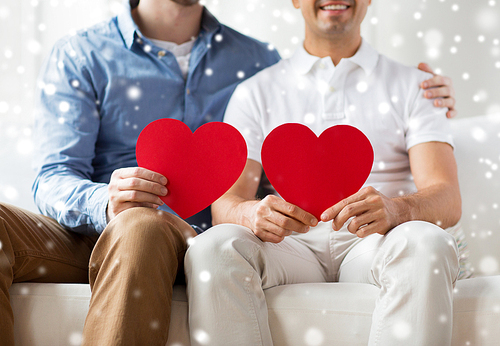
[{"x": 97, "y": 91}]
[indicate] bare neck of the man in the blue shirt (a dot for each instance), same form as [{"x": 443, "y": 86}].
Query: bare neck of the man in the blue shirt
[{"x": 167, "y": 20}]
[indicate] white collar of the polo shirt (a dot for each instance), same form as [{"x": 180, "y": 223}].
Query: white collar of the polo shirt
[{"x": 366, "y": 57}]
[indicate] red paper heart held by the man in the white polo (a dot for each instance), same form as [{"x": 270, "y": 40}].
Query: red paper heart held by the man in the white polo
[{"x": 314, "y": 173}]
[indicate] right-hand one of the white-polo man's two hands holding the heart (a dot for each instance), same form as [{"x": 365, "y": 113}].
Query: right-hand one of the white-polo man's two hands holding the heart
[{"x": 372, "y": 212}]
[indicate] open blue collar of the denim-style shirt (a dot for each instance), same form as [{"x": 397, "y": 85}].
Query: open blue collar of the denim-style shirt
[{"x": 130, "y": 31}]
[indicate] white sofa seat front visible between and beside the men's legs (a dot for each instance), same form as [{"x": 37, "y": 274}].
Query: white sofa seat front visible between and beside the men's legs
[{"x": 301, "y": 314}]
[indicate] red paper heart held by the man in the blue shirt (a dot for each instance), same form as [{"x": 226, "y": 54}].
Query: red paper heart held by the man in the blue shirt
[{"x": 200, "y": 166}]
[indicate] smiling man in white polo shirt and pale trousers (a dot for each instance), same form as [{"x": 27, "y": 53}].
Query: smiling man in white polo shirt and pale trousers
[{"x": 389, "y": 234}]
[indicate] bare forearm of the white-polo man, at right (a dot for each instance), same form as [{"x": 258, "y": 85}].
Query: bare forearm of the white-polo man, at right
[{"x": 439, "y": 204}]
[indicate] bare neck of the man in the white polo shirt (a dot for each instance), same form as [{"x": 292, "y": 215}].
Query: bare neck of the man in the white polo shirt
[{"x": 336, "y": 48}]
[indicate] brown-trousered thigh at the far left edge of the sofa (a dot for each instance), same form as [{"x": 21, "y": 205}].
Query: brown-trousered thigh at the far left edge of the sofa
[{"x": 38, "y": 249}]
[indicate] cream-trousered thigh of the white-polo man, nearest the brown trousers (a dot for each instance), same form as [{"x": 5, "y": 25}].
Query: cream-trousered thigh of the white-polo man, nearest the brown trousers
[{"x": 228, "y": 248}]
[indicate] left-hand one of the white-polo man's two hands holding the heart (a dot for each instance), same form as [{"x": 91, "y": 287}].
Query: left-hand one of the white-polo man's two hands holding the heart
[{"x": 273, "y": 219}]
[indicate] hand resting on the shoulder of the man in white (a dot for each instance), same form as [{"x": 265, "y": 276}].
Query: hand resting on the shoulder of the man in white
[{"x": 440, "y": 89}]
